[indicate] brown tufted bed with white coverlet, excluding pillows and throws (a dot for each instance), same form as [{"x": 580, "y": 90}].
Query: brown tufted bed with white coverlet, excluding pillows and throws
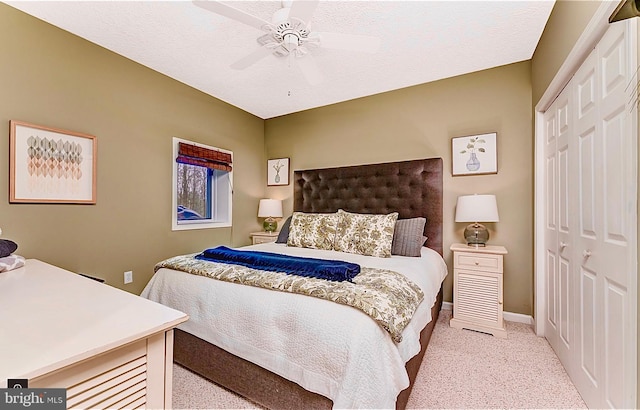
[{"x": 269, "y": 371}]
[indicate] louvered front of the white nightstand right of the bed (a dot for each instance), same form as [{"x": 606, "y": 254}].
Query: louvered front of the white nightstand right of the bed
[{"x": 478, "y": 297}]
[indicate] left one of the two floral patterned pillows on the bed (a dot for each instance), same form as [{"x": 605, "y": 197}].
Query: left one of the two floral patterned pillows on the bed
[{"x": 316, "y": 231}]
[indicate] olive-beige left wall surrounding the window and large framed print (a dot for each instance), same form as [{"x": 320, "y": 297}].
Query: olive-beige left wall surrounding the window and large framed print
[{"x": 52, "y": 78}]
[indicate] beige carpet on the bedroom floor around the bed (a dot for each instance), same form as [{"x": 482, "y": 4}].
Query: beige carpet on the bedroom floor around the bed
[{"x": 462, "y": 369}]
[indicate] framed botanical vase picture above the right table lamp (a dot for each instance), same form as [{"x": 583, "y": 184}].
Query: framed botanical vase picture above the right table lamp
[{"x": 474, "y": 155}]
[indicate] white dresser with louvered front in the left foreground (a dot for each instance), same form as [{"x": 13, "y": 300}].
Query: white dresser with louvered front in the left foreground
[{"x": 107, "y": 347}]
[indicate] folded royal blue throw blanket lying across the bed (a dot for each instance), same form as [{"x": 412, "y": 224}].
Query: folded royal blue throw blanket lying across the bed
[{"x": 318, "y": 268}]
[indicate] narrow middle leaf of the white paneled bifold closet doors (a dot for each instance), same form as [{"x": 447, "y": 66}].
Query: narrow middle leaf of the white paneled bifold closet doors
[{"x": 586, "y": 369}]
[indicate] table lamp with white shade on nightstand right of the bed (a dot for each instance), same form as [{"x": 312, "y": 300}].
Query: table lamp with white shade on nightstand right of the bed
[{"x": 475, "y": 209}]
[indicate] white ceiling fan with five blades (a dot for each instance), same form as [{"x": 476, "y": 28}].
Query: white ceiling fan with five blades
[{"x": 289, "y": 35}]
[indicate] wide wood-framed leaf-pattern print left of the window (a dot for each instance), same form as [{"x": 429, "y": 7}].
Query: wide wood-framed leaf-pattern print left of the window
[{"x": 48, "y": 165}]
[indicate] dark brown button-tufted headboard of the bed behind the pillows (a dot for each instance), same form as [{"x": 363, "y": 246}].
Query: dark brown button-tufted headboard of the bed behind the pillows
[{"x": 412, "y": 188}]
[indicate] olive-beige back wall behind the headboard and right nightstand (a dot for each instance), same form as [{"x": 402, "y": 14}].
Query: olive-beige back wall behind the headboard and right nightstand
[{"x": 419, "y": 122}]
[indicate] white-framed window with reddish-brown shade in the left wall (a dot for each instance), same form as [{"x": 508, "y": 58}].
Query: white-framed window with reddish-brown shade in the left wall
[{"x": 202, "y": 186}]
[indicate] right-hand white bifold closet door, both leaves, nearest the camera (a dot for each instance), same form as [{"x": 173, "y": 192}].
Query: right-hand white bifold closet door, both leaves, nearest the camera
[{"x": 606, "y": 179}]
